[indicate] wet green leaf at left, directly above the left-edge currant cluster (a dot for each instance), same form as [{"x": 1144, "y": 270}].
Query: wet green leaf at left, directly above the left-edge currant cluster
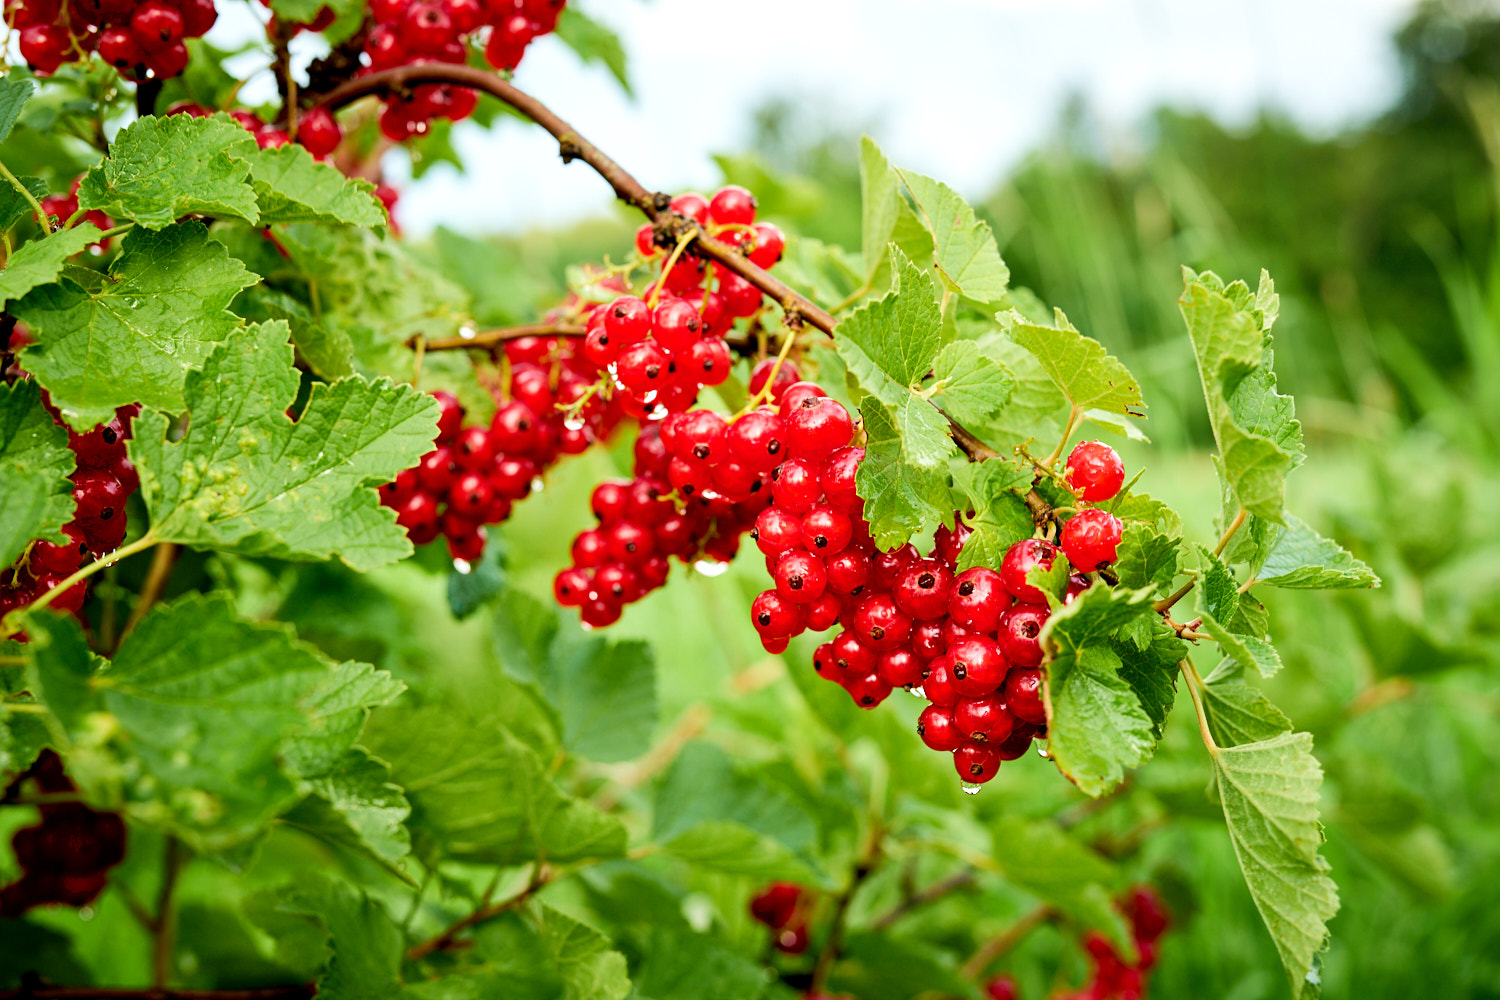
[{"x": 136, "y": 335}]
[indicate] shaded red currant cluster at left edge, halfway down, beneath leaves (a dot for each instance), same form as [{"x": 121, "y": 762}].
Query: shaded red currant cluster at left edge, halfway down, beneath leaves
[{"x": 103, "y": 482}]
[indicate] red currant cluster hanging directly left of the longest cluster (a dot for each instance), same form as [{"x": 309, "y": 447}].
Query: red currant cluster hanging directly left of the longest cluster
[{"x": 641, "y": 527}]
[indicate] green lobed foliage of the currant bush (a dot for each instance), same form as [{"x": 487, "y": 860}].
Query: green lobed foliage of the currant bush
[{"x": 550, "y": 791}]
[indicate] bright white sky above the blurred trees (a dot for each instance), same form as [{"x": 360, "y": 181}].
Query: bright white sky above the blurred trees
[{"x": 928, "y": 77}]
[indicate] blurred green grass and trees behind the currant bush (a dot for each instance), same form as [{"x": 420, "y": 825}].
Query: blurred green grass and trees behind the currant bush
[{"x": 1384, "y": 247}]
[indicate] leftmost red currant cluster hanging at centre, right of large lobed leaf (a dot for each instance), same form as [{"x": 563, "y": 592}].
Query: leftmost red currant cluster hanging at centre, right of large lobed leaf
[{"x": 476, "y": 473}]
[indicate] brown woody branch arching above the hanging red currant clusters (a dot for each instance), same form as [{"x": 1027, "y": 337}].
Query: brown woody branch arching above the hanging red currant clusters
[{"x": 575, "y": 148}]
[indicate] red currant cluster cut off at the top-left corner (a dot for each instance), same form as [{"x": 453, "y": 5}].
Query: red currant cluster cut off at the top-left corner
[{"x": 140, "y": 40}]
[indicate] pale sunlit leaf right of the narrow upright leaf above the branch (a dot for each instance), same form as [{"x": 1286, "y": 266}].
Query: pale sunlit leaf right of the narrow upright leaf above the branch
[{"x": 967, "y": 257}]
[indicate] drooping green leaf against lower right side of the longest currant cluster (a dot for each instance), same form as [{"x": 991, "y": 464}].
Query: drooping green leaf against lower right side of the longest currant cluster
[{"x": 1096, "y": 725}]
